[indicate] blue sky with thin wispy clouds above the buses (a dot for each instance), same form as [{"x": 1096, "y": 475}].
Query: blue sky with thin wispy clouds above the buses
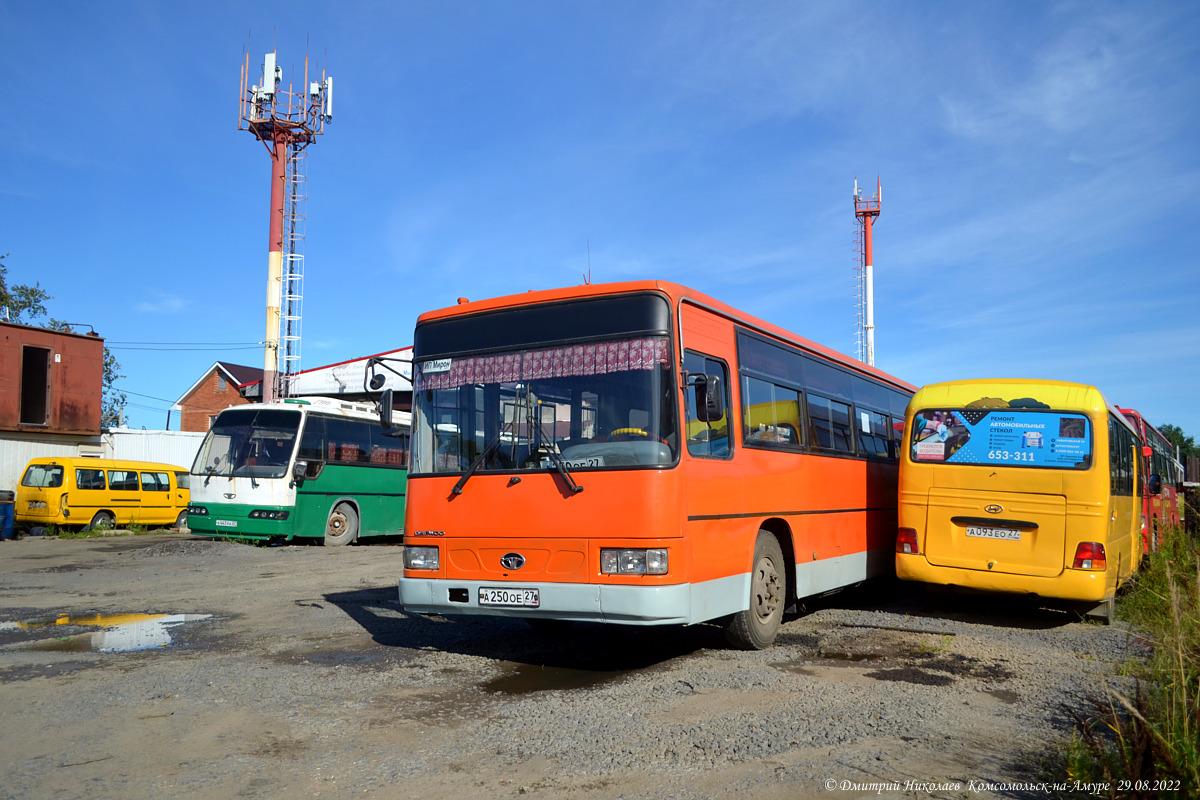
[{"x": 1040, "y": 167}]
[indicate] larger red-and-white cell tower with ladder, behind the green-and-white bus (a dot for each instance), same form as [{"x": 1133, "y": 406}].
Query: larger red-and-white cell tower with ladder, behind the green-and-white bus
[{"x": 286, "y": 123}]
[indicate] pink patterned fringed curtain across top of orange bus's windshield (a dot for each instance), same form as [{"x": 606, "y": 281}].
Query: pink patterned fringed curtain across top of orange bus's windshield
[{"x": 598, "y": 359}]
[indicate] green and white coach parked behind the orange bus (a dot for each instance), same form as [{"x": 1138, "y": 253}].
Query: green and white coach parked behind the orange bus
[{"x": 316, "y": 467}]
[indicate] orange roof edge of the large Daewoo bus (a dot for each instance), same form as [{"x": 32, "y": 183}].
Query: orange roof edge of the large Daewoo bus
[{"x": 676, "y": 294}]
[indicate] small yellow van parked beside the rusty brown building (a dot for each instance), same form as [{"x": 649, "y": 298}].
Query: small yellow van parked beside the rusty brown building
[{"x": 101, "y": 492}]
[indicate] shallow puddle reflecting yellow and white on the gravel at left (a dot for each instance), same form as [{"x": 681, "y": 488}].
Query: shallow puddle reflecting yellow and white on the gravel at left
[{"x": 121, "y": 634}]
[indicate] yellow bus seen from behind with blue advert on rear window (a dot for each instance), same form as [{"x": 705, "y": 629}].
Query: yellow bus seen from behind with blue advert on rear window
[{"x": 1022, "y": 488}]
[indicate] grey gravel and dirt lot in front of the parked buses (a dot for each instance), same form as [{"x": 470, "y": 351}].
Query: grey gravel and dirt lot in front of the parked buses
[{"x": 307, "y": 679}]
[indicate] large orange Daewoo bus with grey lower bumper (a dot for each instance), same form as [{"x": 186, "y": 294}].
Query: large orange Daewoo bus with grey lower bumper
[{"x": 641, "y": 454}]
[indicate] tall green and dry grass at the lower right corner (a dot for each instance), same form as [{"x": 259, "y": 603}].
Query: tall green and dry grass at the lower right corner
[{"x": 1144, "y": 741}]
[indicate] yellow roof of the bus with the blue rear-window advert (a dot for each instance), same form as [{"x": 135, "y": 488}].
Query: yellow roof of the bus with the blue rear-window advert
[{"x": 1059, "y": 395}]
